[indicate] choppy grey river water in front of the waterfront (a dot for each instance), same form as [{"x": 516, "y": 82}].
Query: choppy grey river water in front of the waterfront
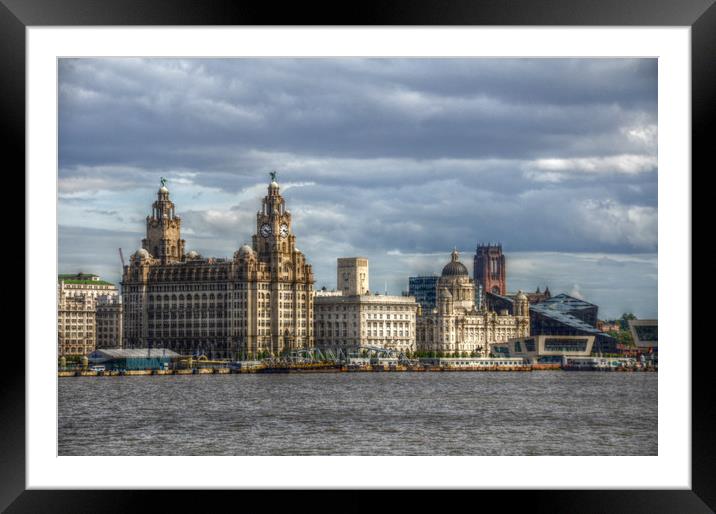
[{"x": 449, "y": 413}]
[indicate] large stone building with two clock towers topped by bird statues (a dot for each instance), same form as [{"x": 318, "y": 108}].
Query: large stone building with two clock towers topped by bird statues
[{"x": 260, "y": 301}]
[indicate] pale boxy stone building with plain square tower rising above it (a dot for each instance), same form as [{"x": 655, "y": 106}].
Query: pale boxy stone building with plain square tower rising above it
[{"x": 357, "y": 318}]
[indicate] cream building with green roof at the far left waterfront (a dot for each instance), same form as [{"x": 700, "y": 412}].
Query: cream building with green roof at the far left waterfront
[{"x": 77, "y": 296}]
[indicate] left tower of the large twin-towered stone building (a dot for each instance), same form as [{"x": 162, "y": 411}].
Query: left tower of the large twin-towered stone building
[{"x": 163, "y": 240}]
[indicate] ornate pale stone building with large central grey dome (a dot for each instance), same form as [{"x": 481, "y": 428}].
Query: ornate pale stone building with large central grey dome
[{"x": 457, "y": 326}]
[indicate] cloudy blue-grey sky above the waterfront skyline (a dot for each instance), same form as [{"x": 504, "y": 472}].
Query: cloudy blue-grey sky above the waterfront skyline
[{"x": 397, "y": 160}]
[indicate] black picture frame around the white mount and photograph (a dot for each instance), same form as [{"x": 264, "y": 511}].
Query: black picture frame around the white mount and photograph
[{"x": 700, "y": 15}]
